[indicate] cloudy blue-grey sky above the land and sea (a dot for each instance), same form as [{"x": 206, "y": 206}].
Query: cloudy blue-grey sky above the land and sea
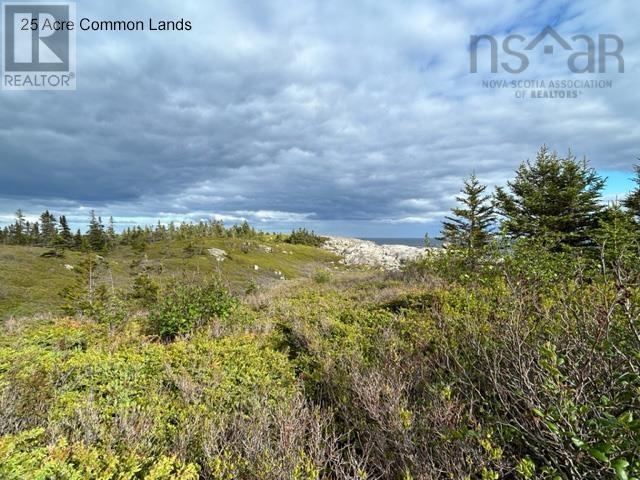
[{"x": 355, "y": 118}]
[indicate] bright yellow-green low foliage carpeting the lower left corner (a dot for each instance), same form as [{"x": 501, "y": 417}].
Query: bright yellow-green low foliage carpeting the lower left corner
[{"x": 78, "y": 403}]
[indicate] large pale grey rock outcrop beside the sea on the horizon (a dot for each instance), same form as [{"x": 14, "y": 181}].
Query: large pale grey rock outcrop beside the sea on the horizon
[{"x": 363, "y": 252}]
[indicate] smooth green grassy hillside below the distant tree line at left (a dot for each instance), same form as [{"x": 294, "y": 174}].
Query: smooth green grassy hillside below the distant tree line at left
[{"x": 31, "y": 284}]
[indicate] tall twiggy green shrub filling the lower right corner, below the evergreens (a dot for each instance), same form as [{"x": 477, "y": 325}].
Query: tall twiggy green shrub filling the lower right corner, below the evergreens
[{"x": 542, "y": 341}]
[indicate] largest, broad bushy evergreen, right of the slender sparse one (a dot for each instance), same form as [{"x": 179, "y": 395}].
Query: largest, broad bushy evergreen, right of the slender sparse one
[{"x": 553, "y": 198}]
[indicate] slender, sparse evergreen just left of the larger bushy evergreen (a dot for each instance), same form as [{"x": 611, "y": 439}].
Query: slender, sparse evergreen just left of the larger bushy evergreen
[{"x": 471, "y": 225}]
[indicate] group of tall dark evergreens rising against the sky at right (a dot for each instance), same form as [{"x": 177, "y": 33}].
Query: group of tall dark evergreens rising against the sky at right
[{"x": 553, "y": 199}]
